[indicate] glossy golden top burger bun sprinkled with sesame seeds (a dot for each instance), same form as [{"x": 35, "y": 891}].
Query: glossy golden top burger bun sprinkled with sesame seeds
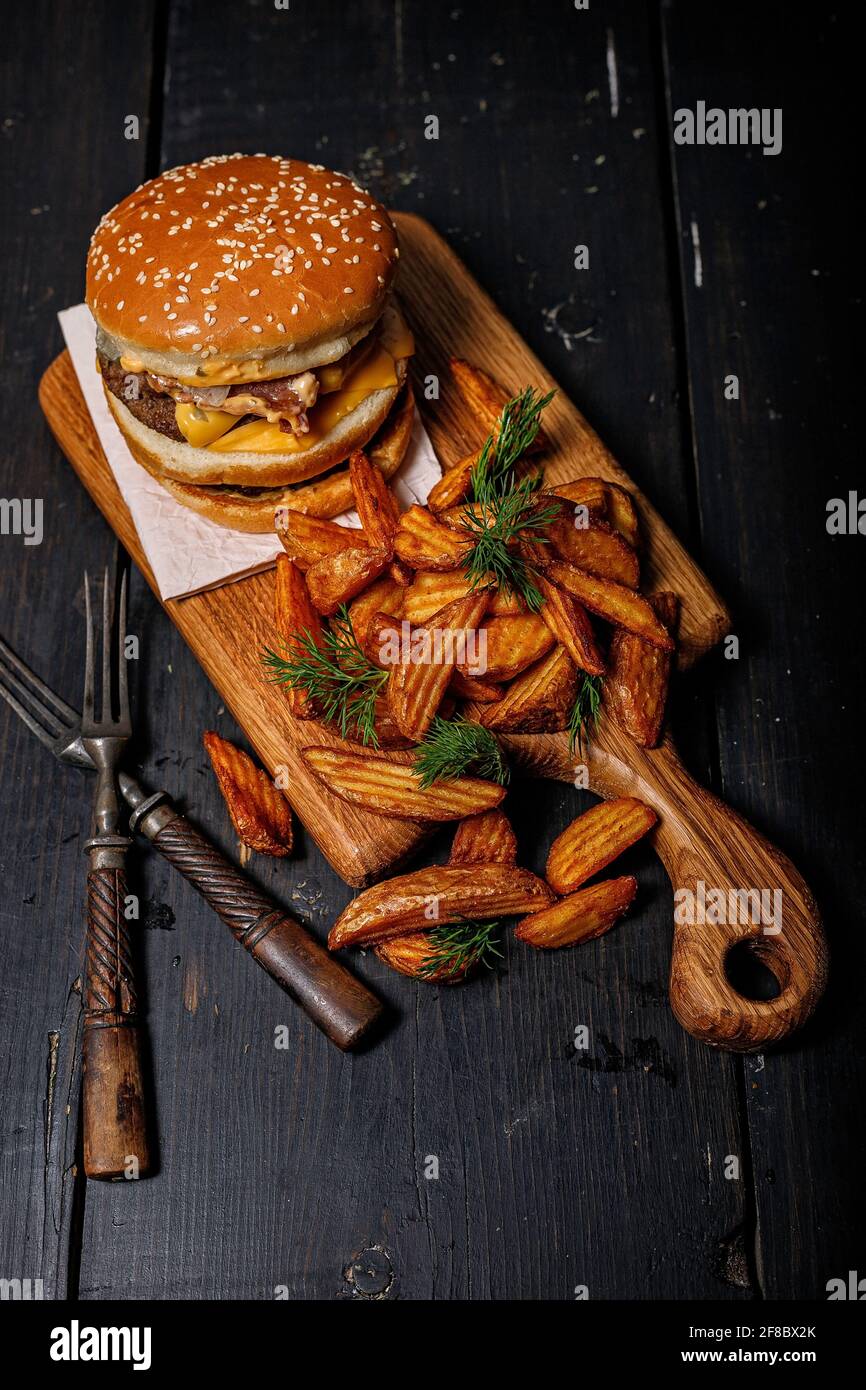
[{"x": 241, "y": 259}]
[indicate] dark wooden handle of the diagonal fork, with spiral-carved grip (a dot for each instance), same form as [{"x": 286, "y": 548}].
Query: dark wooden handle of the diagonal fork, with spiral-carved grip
[{"x": 337, "y": 1003}]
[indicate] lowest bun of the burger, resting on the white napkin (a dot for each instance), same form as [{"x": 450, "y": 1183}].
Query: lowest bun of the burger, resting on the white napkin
[{"x": 326, "y": 497}]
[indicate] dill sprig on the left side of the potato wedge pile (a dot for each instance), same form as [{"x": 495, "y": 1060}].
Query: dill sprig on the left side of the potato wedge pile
[{"x": 338, "y": 678}]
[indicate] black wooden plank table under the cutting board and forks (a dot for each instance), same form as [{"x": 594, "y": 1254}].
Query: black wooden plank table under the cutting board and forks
[{"x": 301, "y": 1170}]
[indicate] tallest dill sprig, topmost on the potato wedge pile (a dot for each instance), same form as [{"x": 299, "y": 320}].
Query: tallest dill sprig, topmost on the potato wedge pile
[{"x": 507, "y": 511}]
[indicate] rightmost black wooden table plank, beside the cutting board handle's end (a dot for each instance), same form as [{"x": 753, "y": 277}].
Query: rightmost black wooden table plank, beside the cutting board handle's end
[{"x": 781, "y": 275}]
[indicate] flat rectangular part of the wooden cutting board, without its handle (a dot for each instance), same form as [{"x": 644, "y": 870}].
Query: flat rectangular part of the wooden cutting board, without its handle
[{"x": 230, "y": 628}]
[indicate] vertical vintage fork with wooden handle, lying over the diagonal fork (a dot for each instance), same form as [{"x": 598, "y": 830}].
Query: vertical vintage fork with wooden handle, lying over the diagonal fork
[{"x": 115, "y": 1132}]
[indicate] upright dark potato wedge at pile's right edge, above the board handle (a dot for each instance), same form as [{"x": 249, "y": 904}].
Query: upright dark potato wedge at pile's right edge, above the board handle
[{"x": 636, "y": 690}]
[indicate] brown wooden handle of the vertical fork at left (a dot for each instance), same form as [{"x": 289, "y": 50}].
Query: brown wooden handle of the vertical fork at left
[{"x": 115, "y": 1134}]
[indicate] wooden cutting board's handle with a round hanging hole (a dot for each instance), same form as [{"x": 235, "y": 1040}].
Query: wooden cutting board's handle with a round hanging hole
[{"x": 730, "y": 885}]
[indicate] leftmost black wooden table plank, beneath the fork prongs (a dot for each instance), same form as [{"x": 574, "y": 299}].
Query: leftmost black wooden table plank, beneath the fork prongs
[{"x": 69, "y": 87}]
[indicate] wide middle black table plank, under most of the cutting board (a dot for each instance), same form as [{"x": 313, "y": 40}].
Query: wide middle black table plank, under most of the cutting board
[{"x": 557, "y": 1167}]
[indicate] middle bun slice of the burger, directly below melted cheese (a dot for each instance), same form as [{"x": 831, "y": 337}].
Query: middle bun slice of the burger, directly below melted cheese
[{"x": 173, "y": 459}]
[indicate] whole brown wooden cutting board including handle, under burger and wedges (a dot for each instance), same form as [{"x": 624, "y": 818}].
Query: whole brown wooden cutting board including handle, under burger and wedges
[{"x": 698, "y": 837}]
